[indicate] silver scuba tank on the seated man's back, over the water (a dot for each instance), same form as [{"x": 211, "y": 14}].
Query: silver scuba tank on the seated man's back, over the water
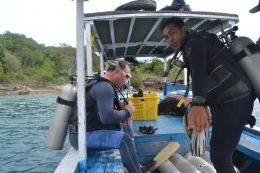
[{"x": 59, "y": 123}]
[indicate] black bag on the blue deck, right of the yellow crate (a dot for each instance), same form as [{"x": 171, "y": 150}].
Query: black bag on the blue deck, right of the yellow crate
[{"x": 169, "y": 106}]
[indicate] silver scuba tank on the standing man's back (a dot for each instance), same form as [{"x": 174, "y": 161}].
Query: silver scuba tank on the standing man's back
[{"x": 247, "y": 54}]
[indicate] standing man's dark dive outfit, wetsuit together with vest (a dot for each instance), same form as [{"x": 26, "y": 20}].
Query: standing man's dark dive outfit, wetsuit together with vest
[{"x": 222, "y": 82}]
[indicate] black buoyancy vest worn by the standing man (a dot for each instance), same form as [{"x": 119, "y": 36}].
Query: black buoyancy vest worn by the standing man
[{"x": 226, "y": 79}]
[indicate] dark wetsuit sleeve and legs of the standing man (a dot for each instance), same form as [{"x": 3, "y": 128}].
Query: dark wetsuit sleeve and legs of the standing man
[{"x": 228, "y": 119}]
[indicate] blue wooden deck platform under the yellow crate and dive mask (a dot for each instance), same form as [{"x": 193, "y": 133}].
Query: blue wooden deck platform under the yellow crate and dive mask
[{"x": 170, "y": 129}]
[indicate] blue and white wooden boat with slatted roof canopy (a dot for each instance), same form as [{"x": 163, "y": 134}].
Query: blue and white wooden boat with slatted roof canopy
[{"x": 121, "y": 34}]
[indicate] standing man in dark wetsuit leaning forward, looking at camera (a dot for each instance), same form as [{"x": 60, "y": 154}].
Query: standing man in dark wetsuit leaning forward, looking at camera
[{"x": 218, "y": 82}]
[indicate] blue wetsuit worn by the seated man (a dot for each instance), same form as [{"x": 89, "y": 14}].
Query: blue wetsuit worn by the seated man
[{"x": 100, "y": 140}]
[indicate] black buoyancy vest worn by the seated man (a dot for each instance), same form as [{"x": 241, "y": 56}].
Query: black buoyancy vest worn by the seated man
[{"x": 93, "y": 121}]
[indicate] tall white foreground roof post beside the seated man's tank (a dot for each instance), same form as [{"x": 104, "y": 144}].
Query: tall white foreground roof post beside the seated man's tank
[{"x": 81, "y": 81}]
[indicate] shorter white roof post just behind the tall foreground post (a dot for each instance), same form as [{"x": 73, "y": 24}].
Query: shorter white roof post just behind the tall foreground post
[{"x": 88, "y": 48}]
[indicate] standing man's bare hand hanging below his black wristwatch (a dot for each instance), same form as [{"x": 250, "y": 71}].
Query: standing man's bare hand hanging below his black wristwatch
[{"x": 197, "y": 118}]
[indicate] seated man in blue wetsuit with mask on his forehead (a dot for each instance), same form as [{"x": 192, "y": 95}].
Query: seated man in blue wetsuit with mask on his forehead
[{"x": 104, "y": 114}]
